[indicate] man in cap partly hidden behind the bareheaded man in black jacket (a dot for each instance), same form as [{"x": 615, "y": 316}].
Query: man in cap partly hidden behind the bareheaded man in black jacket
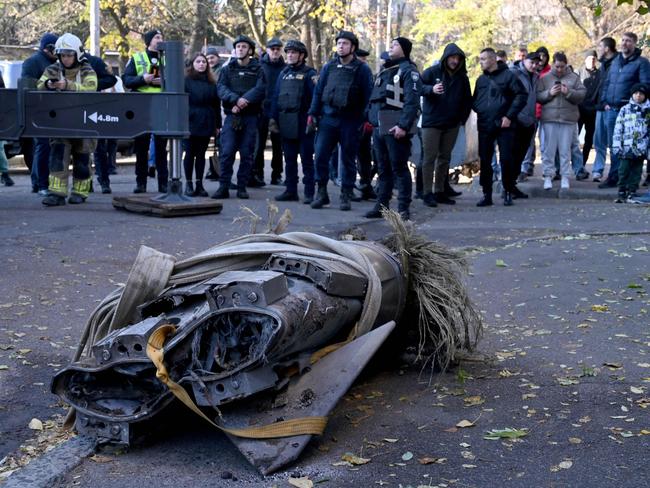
[{"x": 526, "y": 126}]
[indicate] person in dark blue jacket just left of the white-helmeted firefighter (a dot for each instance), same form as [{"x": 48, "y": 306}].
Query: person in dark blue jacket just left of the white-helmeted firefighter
[{"x": 32, "y": 69}]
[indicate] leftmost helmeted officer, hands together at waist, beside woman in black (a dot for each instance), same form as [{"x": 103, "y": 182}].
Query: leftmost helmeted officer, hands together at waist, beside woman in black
[{"x": 241, "y": 88}]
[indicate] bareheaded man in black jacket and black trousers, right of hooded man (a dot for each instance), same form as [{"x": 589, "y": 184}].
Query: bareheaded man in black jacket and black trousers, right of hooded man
[{"x": 498, "y": 98}]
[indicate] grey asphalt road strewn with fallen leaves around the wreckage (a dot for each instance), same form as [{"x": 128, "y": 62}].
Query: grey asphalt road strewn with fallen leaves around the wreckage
[{"x": 562, "y": 286}]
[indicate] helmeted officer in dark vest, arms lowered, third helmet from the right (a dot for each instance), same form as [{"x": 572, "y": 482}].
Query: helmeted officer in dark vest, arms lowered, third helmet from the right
[{"x": 290, "y": 102}]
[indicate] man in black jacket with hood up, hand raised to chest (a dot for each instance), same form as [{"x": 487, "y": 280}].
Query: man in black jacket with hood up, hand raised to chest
[{"x": 447, "y": 102}]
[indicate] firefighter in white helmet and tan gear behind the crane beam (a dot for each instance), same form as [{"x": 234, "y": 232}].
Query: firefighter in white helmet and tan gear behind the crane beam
[{"x": 71, "y": 72}]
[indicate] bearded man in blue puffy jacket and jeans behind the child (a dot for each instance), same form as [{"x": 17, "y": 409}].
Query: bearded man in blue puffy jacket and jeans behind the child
[{"x": 627, "y": 69}]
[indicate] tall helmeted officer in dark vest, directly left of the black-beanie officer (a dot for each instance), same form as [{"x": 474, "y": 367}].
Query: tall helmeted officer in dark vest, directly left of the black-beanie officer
[{"x": 340, "y": 101}]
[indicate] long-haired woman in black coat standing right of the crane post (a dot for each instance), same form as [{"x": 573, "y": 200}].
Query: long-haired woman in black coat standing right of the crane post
[{"x": 205, "y": 121}]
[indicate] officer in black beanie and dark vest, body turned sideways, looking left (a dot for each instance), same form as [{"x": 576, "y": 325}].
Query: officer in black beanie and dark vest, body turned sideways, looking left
[{"x": 394, "y": 109}]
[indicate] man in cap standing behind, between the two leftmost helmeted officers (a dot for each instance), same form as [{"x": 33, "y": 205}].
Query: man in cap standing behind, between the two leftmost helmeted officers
[{"x": 272, "y": 64}]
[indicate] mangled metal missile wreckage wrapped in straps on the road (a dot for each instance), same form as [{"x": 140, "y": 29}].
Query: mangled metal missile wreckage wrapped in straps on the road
[{"x": 262, "y": 335}]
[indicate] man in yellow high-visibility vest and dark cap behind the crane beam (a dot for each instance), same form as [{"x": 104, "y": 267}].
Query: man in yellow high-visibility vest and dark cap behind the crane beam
[{"x": 142, "y": 74}]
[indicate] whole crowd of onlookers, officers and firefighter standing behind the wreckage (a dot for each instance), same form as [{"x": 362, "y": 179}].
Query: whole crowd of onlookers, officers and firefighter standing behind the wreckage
[{"x": 349, "y": 125}]
